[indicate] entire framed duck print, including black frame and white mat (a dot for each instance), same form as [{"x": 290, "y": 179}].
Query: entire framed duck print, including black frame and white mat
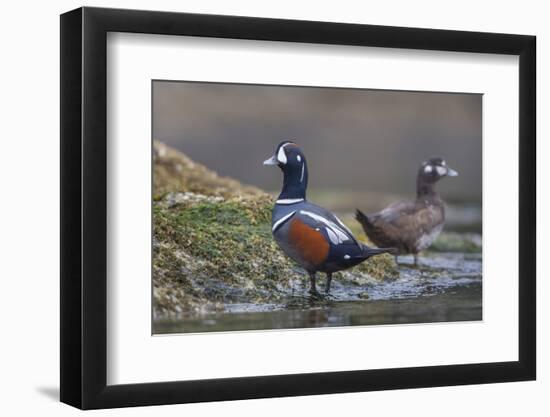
[{"x": 257, "y": 208}]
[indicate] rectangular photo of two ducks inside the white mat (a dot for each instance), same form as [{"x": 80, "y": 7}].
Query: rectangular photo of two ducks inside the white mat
[{"x": 283, "y": 207}]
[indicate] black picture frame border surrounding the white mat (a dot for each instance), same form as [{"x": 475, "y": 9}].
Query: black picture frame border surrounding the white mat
[{"x": 84, "y": 207}]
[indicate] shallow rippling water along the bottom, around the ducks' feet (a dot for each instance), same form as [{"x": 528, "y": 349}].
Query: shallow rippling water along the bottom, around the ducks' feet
[{"x": 443, "y": 287}]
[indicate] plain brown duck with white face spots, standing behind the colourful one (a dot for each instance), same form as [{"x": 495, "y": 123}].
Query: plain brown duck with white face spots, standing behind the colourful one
[{"x": 411, "y": 226}]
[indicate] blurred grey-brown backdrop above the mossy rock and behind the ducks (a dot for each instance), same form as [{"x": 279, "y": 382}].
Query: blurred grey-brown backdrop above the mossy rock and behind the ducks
[{"x": 363, "y": 147}]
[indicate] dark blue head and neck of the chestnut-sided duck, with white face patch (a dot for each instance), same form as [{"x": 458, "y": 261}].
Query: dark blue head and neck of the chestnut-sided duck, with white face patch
[{"x": 289, "y": 157}]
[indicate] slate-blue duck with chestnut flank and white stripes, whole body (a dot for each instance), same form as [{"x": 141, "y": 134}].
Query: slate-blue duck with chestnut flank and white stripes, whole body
[{"x": 311, "y": 235}]
